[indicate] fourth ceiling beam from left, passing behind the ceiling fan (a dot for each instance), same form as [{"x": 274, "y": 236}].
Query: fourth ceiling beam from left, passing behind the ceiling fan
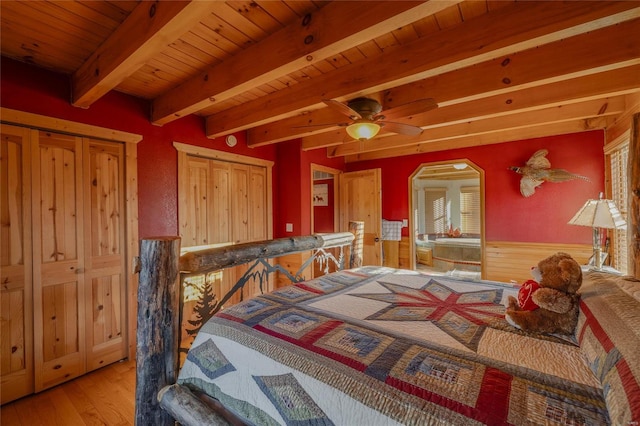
[{"x": 561, "y": 60}]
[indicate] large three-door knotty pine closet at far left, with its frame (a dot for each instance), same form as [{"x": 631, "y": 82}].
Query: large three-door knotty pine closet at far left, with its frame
[{"x": 74, "y": 192}]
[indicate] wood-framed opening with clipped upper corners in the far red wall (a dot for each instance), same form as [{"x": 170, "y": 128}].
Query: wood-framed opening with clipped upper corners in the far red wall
[{"x": 446, "y": 224}]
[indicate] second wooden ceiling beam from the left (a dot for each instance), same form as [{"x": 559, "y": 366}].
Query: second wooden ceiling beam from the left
[{"x": 313, "y": 38}]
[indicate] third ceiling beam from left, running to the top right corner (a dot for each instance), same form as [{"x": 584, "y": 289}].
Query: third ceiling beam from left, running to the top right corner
[{"x": 512, "y": 30}]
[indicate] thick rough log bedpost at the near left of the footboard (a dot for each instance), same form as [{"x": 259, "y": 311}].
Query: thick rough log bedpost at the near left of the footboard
[{"x": 158, "y": 335}]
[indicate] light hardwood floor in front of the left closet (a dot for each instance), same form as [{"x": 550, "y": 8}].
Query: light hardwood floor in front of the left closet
[{"x": 102, "y": 397}]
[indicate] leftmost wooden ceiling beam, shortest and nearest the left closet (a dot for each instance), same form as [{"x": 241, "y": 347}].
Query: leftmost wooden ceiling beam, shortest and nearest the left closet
[{"x": 147, "y": 31}]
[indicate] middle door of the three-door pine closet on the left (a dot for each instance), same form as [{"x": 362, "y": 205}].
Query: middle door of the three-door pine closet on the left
[{"x": 58, "y": 259}]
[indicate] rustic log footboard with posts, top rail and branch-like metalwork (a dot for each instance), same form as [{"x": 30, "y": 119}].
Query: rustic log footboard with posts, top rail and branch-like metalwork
[{"x": 159, "y": 313}]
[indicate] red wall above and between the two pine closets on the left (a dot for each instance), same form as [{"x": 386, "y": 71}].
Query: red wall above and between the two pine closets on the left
[{"x": 34, "y": 90}]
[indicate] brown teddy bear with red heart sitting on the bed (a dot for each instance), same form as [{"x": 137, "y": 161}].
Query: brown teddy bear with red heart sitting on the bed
[{"x": 555, "y": 299}]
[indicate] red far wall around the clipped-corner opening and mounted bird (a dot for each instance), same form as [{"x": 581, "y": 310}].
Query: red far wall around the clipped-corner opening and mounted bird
[{"x": 542, "y": 217}]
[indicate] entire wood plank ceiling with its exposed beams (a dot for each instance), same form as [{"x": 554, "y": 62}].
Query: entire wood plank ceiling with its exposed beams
[{"x": 498, "y": 70}]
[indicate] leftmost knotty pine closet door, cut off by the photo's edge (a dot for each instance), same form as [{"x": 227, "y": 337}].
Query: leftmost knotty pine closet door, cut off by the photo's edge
[{"x": 16, "y": 307}]
